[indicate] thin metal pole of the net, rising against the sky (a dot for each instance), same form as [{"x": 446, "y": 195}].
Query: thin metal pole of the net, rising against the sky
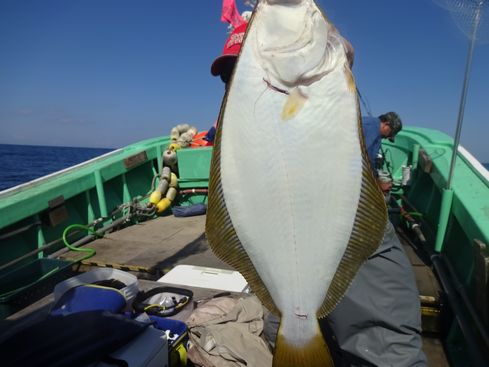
[{"x": 463, "y": 98}]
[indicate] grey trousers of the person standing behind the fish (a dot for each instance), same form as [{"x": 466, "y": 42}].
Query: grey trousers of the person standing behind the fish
[{"x": 378, "y": 322}]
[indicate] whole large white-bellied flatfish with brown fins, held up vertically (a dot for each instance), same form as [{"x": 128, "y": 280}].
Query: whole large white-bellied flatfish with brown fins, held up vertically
[{"x": 293, "y": 203}]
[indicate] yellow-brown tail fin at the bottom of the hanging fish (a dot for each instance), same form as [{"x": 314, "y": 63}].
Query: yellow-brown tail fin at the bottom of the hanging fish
[{"x": 313, "y": 352}]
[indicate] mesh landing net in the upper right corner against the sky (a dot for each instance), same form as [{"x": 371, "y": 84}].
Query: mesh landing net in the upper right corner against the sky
[{"x": 470, "y": 16}]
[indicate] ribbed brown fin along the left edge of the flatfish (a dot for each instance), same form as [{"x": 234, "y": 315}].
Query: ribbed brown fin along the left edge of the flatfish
[{"x": 221, "y": 234}]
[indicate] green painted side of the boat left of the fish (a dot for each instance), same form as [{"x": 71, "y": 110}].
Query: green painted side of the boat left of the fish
[{"x": 84, "y": 200}]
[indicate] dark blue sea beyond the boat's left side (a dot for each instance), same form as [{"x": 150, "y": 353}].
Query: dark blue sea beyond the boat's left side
[{"x": 23, "y": 163}]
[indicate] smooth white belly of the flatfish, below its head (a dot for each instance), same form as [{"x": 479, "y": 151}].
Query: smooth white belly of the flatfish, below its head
[{"x": 291, "y": 187}]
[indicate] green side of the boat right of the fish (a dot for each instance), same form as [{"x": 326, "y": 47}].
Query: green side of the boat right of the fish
[{"x": 456, "y": 226}]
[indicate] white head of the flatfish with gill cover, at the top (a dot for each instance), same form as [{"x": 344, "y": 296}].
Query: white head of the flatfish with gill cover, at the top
[{"x": 296, "y": 44}]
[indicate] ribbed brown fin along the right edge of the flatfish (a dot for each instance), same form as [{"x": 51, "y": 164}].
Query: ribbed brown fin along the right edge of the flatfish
[{"x": 366, "y": 236}]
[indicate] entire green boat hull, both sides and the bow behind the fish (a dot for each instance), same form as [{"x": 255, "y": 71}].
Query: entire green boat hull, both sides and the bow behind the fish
[{"x": 35, "y": 214}]
